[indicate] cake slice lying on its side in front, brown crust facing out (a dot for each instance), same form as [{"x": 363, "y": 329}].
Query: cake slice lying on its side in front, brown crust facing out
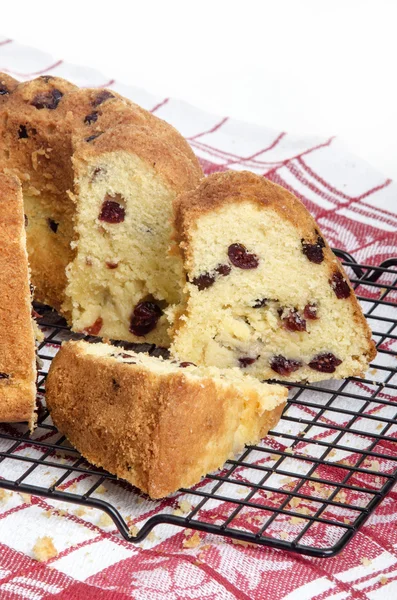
[{"x": 159, "y": 424}]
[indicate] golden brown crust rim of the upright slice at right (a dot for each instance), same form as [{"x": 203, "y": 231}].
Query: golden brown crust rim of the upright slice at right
[{"x": 222, "y": 189}]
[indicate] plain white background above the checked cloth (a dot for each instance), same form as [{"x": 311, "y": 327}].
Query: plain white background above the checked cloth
[{"x": 306, "y": 66}]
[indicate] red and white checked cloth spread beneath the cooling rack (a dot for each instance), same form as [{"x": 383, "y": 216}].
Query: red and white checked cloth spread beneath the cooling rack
[{"x": 356, "y": 208}]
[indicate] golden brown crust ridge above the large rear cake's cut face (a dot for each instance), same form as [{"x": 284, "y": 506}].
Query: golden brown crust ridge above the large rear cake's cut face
[{"x": 173, "y": 166}]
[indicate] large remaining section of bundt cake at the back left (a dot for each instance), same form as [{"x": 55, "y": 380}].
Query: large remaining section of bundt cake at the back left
[{"x": 62, "y": 142}]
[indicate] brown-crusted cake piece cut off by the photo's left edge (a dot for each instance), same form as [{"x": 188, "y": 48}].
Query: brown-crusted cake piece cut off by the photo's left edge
[{"x": 17, "y": 338}]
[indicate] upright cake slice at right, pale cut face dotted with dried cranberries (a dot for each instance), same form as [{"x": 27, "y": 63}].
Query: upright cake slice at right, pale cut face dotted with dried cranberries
[{"x": 264, "y": 291}]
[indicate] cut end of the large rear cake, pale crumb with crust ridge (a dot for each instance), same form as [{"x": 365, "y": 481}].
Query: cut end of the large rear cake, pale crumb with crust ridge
[{"x": 123, "y": 277}]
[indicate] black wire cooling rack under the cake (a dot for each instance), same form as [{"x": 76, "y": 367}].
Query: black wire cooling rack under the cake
[{"x": 307, "y": 487}]
